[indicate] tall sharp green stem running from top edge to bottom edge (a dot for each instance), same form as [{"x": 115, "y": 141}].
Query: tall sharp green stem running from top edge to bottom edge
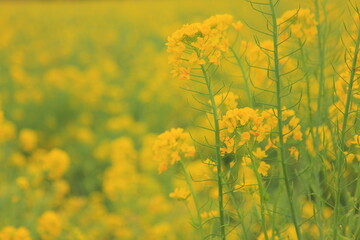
[{"x": 281, "y": 148}]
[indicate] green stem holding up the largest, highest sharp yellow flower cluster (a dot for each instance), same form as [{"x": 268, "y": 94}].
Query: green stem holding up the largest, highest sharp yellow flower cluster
[{"x": 218, "y": 154}]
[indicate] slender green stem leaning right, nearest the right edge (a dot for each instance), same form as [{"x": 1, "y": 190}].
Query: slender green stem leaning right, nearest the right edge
[{"x": 341, "y": 157}]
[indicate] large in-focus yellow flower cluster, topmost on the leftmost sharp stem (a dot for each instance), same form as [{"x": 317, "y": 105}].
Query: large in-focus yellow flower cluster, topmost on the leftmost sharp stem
[{"x": 198, "y": 43}]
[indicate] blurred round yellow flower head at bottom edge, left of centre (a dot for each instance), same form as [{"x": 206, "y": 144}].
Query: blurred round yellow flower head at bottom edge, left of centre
[{"x": 49, "y": 225}]
